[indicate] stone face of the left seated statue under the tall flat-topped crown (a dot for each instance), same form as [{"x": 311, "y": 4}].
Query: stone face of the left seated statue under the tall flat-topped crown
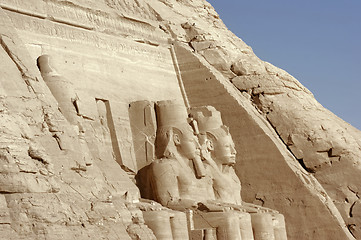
[{"x": 187, "y": 143}]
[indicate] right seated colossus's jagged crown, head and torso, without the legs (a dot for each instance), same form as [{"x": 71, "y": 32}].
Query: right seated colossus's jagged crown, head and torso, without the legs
[{"x": 219, "y": 153}]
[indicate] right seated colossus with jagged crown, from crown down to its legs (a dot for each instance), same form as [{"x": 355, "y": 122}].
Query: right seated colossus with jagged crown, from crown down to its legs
[{"x": 219, "y": 154}]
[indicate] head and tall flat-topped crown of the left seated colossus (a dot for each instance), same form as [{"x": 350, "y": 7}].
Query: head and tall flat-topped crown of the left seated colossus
[{"x": 174, "y": 135}]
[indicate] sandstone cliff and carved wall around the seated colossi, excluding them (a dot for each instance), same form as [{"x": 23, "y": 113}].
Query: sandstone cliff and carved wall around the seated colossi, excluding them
[{"x": 69, "y": 172}]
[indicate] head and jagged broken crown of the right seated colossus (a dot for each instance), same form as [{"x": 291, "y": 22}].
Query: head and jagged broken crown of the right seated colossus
[{"x": 214, "y": 135}]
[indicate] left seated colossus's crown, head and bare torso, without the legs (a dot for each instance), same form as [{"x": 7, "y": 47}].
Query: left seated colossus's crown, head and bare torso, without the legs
[{"x": 179, "y": 178}]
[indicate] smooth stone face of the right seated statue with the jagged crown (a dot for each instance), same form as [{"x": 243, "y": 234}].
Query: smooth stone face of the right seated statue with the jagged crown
[{"x": 224, "y": 150}]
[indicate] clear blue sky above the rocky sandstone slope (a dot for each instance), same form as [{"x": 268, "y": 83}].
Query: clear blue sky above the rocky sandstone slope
[{"x": 316, "y": 41}]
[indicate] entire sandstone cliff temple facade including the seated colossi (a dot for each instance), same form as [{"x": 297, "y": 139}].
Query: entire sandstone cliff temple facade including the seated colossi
[{"x": 149, "y": 119}]
